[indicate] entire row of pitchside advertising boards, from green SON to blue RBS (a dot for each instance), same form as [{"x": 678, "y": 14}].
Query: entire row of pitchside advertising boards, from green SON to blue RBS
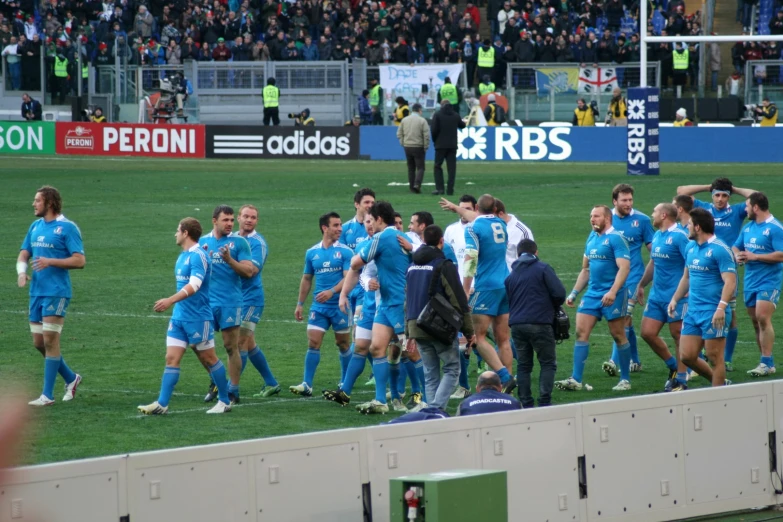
[{"x": 505, "y": 143}]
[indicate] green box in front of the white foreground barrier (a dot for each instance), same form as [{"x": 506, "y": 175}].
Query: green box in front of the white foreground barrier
[{"x": 450, "y": 496}]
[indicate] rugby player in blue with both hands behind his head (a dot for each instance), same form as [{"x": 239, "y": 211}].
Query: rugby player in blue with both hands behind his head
[{"x": 728, "y": 224}]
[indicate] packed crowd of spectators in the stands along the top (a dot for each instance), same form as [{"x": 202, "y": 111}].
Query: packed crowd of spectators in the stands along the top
[{"x": 171, "y": 32}]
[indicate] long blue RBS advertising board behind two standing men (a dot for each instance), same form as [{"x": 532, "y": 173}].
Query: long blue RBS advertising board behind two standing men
[{"x": 677, "y": 145}]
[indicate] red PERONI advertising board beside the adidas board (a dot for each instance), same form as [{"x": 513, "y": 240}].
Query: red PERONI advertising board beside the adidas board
[{"x": 126, "y": 139}]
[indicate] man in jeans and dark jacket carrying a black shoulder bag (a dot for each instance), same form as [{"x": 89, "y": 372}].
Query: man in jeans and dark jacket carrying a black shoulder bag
[{"x": 427, "y": 261}]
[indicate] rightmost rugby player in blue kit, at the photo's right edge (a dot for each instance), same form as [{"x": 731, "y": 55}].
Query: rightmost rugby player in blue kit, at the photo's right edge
[{"x": 760, "y": 248}]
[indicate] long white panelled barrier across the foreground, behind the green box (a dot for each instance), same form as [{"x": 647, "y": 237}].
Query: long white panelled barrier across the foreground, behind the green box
[{"x": 641, "y": 459}]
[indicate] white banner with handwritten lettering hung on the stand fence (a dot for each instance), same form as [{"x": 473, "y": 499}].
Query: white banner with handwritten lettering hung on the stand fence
[{"x": 409, "y": 81}]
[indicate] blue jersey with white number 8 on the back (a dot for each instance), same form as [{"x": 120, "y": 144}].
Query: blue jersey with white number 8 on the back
[{"x": 487, "y": 235}]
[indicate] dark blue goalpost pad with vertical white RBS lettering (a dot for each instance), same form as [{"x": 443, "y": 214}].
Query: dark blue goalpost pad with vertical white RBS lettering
[{"x": 643, "y": 132}]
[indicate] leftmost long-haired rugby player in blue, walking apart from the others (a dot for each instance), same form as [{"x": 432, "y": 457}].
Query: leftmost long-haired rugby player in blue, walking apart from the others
[{"x": 54, "y": 244}]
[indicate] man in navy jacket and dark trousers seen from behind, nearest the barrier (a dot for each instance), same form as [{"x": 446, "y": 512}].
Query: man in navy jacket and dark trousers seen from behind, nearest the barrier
[{"x": 534, "y": 293}]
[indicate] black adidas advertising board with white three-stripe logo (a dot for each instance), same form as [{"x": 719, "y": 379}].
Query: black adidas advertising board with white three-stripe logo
[{"x": 225, "y": 141}]
